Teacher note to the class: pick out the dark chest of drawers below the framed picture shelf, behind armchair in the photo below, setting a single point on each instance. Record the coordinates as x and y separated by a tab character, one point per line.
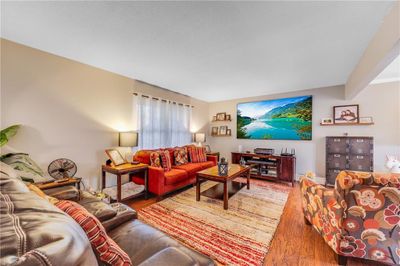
348	153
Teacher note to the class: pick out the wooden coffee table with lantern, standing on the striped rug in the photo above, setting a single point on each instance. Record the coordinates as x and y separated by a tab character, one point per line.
227	187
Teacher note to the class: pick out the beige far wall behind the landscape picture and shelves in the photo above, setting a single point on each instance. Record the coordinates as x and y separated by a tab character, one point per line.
380	101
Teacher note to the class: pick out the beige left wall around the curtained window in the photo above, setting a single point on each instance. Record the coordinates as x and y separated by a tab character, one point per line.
69	109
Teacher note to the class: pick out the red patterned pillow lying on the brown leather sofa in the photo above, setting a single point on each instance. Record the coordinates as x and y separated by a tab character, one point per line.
107	250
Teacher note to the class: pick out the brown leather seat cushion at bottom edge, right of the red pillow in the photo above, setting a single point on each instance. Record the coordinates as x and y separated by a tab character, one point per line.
142	242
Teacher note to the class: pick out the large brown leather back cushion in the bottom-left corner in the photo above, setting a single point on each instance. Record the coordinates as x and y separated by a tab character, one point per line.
35	232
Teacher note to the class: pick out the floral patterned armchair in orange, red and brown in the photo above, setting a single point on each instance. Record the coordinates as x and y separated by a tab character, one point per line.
360	217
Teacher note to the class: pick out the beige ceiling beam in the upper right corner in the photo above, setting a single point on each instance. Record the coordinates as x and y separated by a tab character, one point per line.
382	49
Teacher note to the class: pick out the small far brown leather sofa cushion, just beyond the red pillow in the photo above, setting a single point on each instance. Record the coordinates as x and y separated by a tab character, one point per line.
95	206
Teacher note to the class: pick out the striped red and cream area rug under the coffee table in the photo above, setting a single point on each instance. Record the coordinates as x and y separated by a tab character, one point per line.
240	235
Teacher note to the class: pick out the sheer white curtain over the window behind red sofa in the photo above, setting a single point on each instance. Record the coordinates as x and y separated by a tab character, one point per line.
161	123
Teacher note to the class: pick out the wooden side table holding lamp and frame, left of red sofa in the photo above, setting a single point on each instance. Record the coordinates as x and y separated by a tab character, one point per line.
125	169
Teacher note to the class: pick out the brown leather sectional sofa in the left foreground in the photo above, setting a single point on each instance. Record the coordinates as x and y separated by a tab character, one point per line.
35	232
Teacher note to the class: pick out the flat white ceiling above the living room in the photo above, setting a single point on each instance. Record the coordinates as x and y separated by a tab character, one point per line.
209	50
